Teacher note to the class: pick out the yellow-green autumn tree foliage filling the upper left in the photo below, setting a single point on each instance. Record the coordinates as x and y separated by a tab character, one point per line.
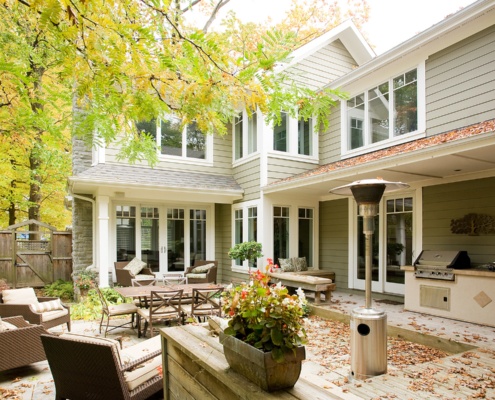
121	61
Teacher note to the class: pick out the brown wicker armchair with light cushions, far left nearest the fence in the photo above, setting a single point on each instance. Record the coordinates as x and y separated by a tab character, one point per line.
46	319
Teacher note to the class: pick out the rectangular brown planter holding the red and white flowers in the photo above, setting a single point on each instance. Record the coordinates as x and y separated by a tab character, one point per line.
259	367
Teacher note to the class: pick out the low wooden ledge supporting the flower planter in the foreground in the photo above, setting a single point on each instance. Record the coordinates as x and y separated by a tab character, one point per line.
194	367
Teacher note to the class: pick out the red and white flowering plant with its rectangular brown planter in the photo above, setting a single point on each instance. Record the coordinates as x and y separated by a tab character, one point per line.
265	334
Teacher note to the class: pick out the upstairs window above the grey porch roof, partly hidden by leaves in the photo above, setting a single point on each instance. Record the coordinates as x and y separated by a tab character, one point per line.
173	140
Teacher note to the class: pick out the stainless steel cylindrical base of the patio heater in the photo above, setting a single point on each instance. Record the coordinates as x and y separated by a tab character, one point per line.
368	343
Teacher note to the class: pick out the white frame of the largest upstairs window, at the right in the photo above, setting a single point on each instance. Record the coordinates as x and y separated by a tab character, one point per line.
392	140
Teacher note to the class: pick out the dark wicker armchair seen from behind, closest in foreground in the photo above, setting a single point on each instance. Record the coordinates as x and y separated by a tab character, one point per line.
85	367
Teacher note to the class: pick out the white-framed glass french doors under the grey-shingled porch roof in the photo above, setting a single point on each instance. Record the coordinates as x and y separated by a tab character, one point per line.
167	238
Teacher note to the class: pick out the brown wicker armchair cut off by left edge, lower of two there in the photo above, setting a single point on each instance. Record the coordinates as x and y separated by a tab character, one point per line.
21	346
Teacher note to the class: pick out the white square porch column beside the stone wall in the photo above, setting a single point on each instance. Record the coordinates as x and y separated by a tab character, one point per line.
102	238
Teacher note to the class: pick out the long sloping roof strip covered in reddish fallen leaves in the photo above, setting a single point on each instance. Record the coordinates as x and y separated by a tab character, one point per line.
409	147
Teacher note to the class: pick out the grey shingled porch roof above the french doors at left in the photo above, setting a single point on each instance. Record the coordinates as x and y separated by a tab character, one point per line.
130	175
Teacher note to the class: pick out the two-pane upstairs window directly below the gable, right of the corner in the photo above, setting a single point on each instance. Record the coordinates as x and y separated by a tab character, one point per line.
294	135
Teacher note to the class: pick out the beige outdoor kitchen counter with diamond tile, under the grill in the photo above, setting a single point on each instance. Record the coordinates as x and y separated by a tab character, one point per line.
469	297
